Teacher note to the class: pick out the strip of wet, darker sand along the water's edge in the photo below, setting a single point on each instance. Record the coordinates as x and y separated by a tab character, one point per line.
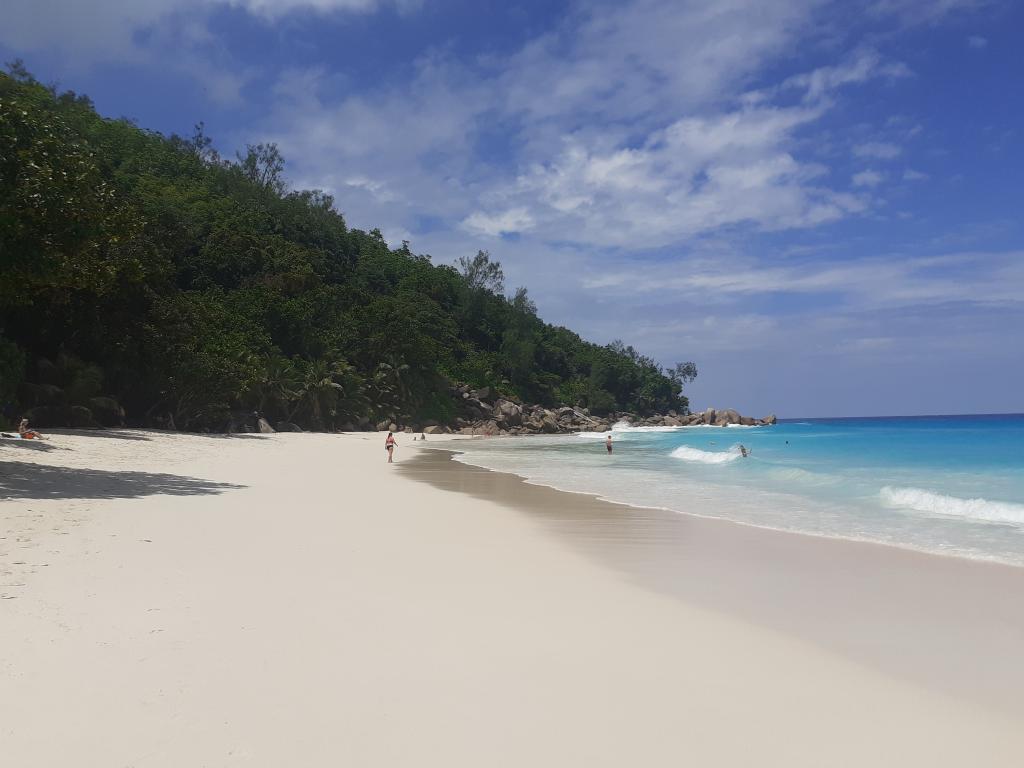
945	605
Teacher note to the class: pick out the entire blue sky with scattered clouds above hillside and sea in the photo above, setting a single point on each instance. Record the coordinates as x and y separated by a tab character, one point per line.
818	202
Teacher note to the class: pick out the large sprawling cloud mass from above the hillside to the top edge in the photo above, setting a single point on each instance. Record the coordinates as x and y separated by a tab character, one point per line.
626	135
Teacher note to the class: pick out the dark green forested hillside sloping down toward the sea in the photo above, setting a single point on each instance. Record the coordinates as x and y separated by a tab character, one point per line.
147	279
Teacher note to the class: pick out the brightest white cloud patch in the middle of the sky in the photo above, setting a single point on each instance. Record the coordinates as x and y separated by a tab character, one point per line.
696	176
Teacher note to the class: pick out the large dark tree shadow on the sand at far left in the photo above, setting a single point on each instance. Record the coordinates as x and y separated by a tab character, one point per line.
21	481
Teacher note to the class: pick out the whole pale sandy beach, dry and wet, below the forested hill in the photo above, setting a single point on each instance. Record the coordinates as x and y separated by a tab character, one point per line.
291	600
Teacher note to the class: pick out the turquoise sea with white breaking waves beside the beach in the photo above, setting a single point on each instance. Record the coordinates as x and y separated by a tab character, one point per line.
945	485
